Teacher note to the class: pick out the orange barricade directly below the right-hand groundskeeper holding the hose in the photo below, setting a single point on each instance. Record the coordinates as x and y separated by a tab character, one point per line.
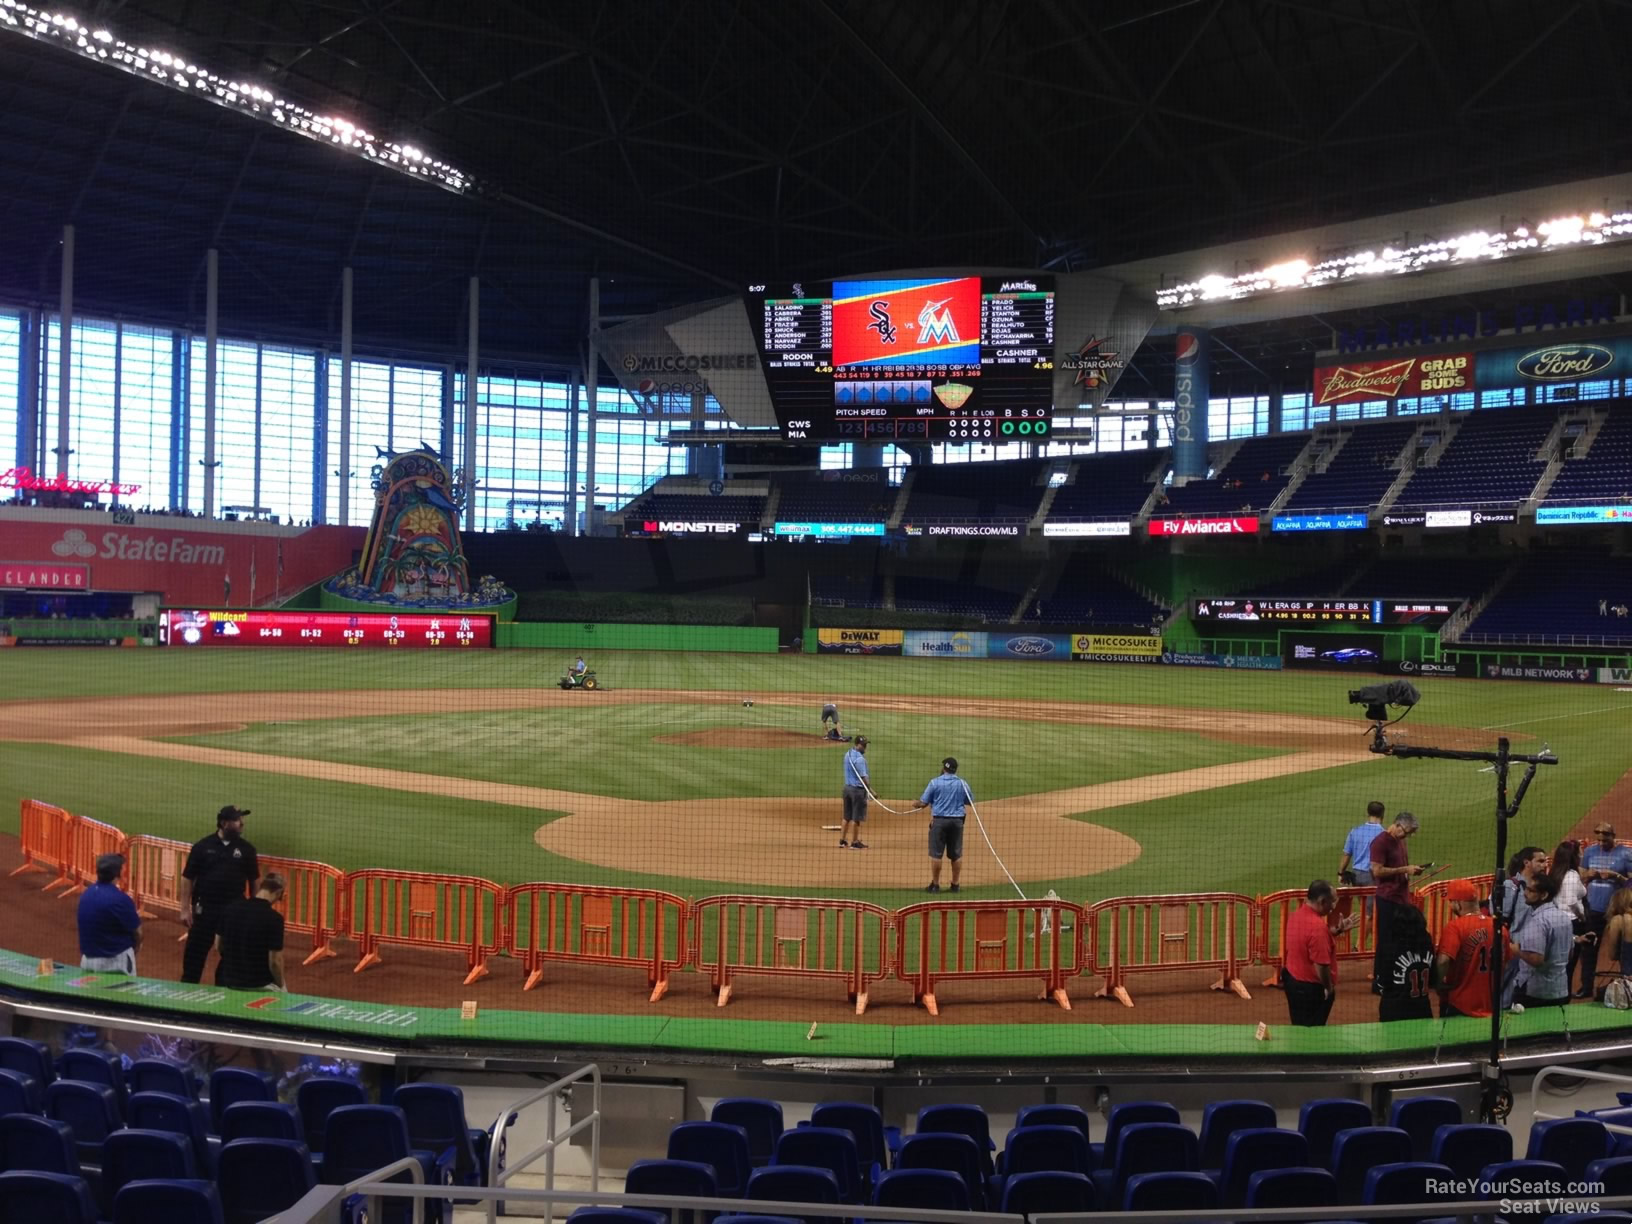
949	941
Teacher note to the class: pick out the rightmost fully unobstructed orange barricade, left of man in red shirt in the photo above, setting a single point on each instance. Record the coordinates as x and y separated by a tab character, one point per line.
1161	934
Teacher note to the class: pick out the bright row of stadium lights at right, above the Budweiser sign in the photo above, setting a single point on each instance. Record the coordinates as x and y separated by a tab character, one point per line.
1594	229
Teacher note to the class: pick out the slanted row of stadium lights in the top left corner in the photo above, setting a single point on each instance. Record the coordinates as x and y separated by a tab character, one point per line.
164	68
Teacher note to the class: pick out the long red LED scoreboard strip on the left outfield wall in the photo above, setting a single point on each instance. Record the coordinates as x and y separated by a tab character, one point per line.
404	631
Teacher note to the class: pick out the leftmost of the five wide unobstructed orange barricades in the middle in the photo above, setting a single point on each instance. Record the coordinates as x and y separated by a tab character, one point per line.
425	911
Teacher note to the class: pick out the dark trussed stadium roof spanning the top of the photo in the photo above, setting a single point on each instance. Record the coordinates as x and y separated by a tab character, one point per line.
680	151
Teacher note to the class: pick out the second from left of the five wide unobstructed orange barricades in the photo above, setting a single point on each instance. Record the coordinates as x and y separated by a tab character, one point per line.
632	928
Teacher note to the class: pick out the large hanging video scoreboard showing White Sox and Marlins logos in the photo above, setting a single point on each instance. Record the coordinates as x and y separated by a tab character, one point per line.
954	360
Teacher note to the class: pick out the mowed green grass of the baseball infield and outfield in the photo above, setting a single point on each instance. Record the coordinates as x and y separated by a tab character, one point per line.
1251	838
